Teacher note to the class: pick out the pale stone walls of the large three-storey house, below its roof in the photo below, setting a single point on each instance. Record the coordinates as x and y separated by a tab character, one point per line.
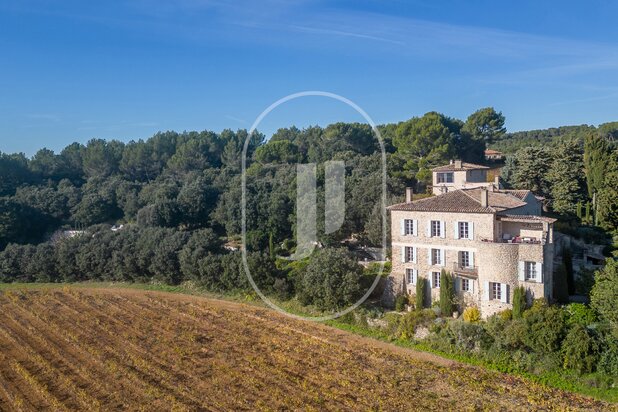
491	260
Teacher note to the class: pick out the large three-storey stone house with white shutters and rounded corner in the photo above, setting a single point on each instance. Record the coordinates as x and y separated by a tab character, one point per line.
491	240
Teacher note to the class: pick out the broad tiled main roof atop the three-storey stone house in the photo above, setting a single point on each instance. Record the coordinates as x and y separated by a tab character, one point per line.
463	201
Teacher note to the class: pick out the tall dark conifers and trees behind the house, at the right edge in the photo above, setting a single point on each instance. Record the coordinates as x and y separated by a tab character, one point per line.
573	175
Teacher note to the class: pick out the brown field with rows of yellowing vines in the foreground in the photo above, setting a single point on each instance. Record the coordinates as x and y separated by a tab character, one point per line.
111	349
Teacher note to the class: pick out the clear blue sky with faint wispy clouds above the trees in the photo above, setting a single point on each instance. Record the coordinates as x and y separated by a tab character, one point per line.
74	70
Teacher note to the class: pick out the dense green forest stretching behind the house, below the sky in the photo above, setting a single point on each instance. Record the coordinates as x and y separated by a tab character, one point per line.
177	197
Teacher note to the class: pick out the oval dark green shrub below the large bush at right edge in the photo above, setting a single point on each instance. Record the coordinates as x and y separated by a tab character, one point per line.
579	350
